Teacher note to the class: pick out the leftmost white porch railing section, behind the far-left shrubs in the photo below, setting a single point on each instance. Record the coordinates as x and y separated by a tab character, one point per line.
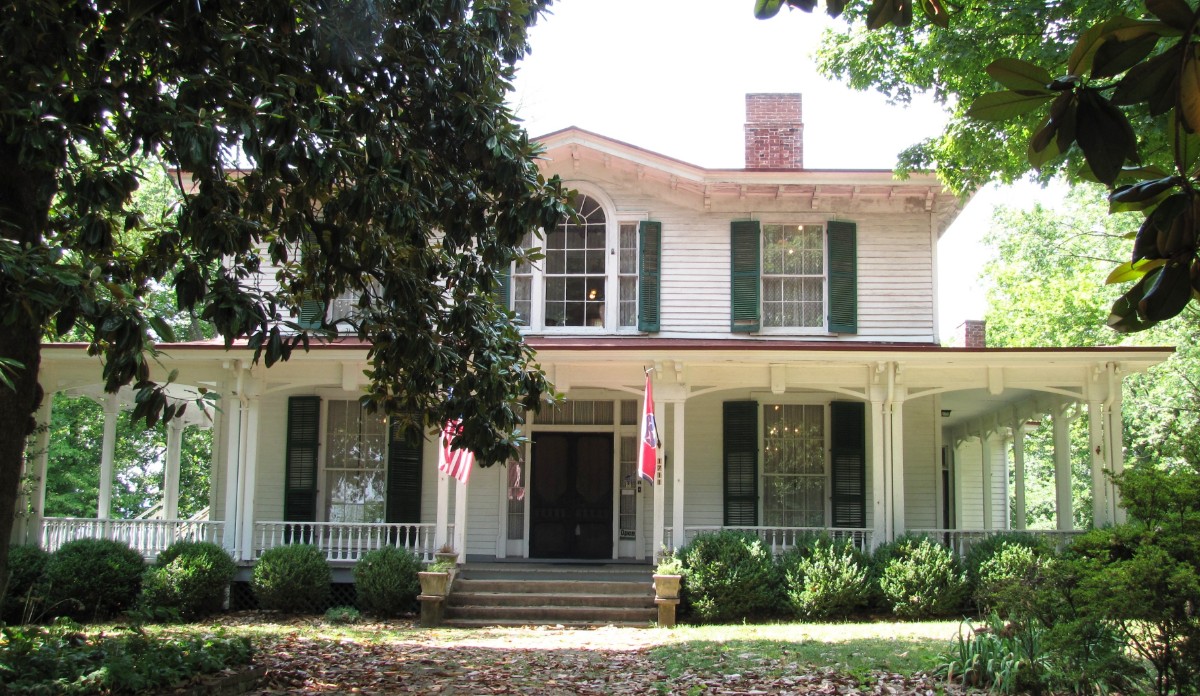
147	537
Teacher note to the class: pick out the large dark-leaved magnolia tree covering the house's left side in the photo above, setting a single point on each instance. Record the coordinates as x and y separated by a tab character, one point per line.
359	147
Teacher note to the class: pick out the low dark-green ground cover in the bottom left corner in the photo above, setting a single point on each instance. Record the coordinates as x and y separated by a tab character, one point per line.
65	659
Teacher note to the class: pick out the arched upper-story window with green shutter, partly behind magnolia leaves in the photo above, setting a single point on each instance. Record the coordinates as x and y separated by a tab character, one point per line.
595	274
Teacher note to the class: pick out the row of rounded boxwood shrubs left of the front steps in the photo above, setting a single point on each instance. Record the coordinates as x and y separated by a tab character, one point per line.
92	580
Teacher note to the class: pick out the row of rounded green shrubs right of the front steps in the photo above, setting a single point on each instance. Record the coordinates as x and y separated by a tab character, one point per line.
734	577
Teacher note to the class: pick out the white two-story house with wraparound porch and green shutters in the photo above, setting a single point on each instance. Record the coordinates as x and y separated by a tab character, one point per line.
789	320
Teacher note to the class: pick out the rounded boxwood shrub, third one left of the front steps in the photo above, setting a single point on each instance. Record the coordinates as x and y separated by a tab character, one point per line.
189	579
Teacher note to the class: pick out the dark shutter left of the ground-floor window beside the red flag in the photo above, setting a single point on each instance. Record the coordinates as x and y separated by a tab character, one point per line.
741	461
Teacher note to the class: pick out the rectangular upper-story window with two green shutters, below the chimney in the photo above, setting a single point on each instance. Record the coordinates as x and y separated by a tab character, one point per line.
794	278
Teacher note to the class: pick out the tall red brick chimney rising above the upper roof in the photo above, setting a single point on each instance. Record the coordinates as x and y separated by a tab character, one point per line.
775	133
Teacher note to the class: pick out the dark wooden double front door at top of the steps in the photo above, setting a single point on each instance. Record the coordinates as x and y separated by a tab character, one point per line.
571	489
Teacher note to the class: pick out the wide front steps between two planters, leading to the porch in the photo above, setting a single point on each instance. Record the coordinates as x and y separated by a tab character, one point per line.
533	595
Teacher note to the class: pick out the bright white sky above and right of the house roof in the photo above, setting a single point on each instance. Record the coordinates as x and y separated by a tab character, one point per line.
673	77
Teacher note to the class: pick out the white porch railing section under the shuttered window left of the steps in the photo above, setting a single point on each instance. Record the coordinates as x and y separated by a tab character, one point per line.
347	542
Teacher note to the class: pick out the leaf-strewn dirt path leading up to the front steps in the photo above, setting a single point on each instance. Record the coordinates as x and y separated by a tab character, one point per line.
532	661
